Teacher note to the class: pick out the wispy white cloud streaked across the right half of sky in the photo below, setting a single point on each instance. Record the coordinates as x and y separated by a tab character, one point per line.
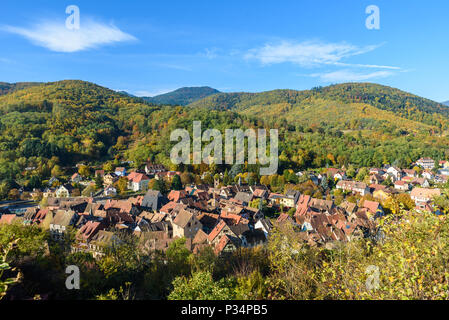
310	53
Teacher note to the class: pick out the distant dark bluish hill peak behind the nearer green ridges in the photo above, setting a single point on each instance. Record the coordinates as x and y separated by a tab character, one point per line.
182	96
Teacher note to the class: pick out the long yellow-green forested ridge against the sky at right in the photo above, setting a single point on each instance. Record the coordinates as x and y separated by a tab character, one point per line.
285	102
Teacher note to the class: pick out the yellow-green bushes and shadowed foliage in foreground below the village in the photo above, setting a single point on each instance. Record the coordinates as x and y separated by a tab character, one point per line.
408	262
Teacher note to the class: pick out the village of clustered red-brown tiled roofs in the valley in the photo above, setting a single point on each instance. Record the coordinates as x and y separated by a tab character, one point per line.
226	217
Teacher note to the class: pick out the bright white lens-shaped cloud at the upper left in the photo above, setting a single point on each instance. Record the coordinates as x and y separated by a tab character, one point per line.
56	37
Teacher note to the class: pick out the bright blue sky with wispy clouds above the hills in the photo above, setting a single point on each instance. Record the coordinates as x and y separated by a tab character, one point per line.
152	47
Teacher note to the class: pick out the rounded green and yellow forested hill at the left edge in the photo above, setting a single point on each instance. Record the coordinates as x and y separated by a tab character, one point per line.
70	120
